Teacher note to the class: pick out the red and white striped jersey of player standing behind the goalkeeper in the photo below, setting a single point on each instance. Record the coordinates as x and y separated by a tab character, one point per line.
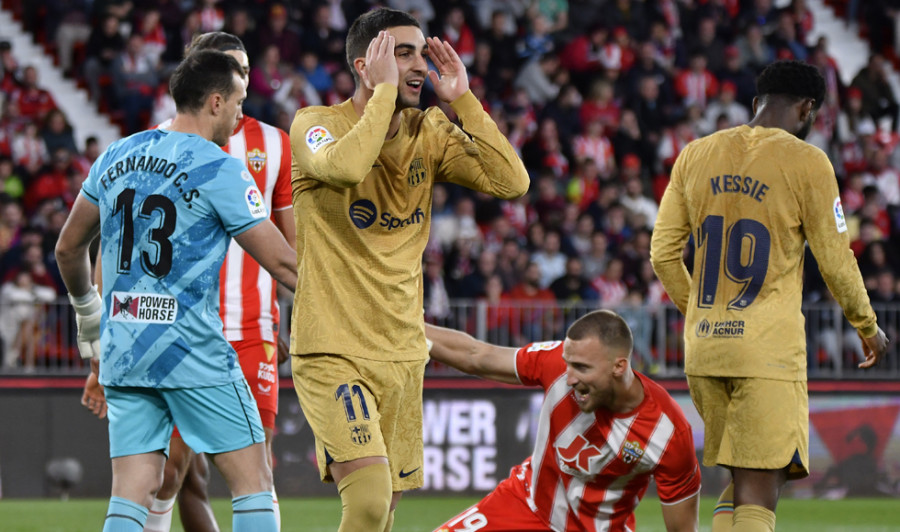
247	303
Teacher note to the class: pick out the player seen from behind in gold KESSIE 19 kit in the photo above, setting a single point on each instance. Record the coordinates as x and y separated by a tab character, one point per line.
752	197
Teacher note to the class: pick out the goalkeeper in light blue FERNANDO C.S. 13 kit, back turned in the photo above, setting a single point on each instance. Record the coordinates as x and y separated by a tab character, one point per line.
165	204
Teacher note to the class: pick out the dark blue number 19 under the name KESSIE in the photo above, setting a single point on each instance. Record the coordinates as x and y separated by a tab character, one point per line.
745	247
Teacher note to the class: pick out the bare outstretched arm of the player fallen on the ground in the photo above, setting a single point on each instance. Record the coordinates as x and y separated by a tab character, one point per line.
463	352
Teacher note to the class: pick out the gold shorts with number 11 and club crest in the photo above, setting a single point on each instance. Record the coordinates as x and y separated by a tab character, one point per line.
358	408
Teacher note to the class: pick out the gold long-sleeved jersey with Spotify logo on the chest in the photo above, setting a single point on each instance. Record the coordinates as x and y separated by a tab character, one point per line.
362	205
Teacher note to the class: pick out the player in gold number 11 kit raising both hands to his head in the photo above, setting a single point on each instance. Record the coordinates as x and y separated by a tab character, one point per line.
362	178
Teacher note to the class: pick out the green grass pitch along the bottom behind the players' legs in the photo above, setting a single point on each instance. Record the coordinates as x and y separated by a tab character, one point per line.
418	514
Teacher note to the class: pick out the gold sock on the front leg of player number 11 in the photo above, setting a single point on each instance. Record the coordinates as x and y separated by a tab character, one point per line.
366	499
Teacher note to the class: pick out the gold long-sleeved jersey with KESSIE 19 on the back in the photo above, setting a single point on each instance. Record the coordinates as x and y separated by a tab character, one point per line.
752	198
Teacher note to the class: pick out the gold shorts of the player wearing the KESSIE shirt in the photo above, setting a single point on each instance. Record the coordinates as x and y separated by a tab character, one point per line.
753	423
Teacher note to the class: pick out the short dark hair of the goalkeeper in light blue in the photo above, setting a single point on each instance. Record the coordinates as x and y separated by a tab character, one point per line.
201	74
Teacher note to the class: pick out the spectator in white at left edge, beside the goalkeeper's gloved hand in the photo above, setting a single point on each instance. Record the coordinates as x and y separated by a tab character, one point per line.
21	313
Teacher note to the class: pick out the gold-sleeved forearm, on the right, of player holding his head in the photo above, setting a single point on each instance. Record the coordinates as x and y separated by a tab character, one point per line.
493	165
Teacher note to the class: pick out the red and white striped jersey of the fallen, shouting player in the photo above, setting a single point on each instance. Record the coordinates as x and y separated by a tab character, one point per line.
588	471
